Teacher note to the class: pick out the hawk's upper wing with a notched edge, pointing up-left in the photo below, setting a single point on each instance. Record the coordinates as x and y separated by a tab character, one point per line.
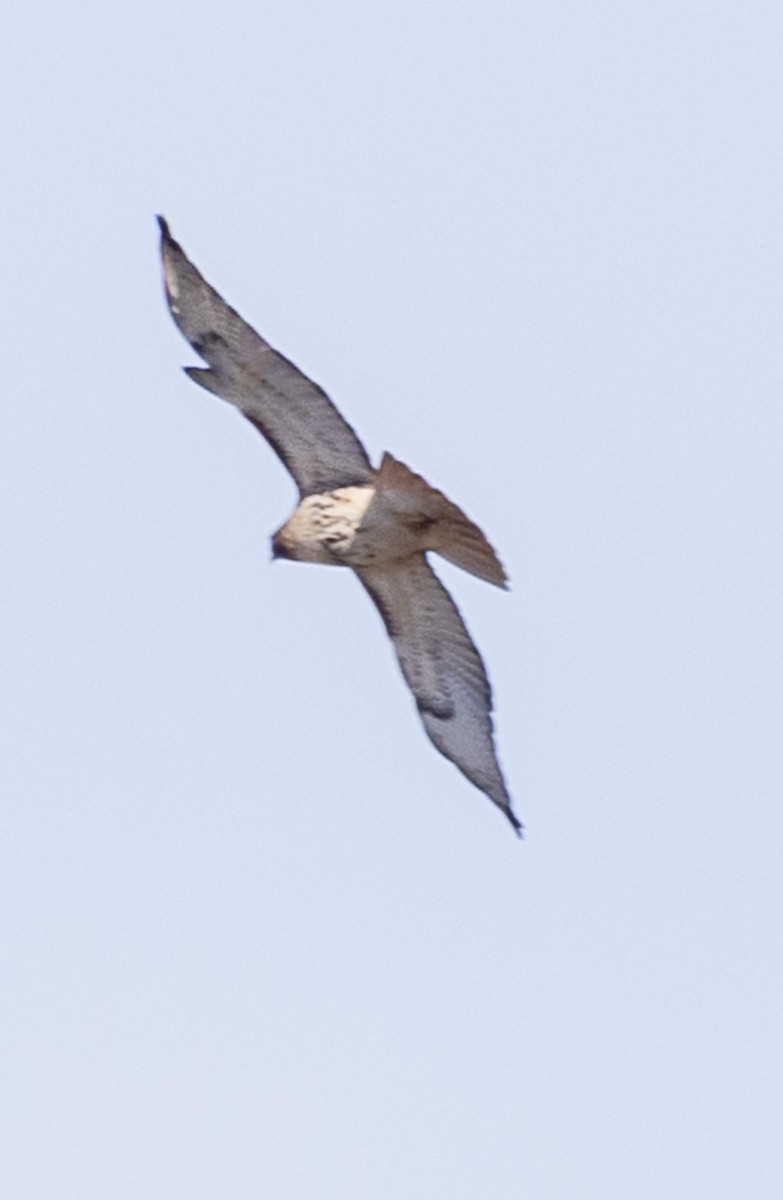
294	413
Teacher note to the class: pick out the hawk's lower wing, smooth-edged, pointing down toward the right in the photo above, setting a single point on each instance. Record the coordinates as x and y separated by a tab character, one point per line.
443	669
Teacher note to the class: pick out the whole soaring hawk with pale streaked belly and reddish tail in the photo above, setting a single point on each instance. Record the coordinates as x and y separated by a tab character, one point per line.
380	523
